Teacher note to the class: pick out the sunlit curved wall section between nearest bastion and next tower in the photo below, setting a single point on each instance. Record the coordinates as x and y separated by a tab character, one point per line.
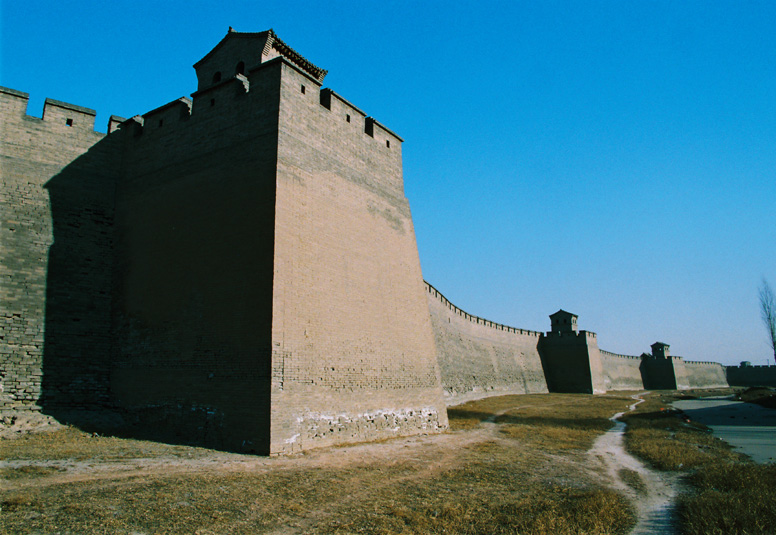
479	358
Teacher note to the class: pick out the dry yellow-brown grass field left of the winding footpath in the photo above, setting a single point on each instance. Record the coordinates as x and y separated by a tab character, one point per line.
513	464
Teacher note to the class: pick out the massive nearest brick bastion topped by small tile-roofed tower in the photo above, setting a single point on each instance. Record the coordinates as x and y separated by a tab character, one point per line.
269	290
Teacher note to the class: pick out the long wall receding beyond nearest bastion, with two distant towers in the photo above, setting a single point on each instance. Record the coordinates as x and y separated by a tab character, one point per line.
480	358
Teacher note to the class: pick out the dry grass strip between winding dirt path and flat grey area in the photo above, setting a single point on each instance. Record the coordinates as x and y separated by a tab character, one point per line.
727	493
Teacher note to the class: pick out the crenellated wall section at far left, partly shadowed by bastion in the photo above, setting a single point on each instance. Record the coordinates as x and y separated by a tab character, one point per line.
56	243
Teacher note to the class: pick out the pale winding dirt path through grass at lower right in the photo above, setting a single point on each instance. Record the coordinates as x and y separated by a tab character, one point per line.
654	500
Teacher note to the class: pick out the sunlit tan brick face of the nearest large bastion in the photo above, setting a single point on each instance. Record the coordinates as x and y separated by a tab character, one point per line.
353	350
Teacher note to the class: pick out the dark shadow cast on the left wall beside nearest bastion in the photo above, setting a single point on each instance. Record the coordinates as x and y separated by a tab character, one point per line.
77	341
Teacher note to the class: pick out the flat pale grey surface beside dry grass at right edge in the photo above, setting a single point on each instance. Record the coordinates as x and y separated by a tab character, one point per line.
748	427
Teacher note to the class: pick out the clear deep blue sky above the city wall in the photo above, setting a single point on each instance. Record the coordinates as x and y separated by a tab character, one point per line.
616	159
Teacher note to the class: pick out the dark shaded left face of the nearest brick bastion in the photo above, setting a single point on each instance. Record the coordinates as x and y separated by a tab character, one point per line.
195	244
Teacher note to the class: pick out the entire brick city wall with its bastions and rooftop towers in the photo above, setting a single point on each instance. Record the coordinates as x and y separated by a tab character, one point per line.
239	270
